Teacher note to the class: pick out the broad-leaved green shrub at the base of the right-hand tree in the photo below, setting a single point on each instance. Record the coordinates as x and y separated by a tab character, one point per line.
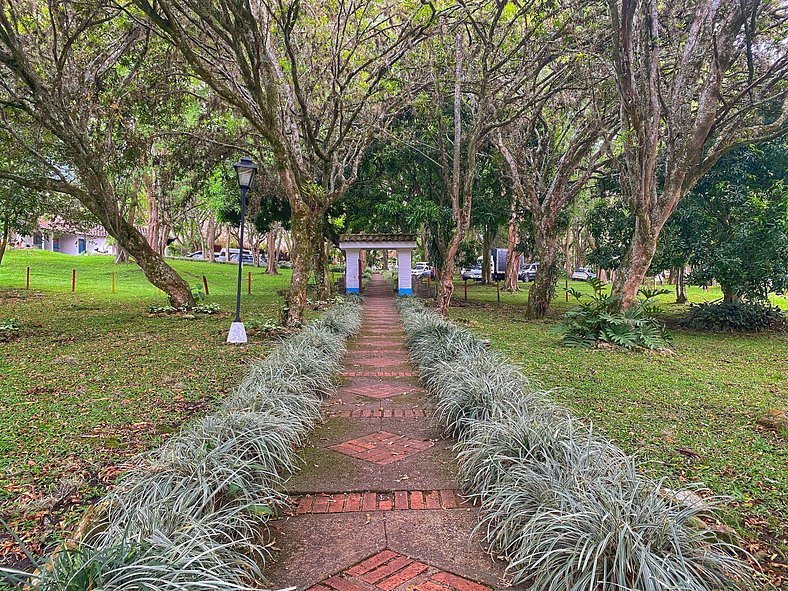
595	321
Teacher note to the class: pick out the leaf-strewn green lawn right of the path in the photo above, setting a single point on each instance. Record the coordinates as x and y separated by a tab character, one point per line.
688	416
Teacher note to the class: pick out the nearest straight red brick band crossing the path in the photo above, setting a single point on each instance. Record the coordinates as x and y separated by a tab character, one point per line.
398	500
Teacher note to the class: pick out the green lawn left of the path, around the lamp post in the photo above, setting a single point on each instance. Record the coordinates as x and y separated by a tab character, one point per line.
93	379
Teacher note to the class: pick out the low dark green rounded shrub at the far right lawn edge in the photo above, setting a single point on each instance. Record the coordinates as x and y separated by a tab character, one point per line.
734	316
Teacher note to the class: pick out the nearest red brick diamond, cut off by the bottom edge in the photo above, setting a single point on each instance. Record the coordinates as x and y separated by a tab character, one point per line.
390	571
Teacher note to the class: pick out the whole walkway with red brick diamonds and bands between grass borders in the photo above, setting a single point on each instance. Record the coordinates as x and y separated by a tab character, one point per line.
376	506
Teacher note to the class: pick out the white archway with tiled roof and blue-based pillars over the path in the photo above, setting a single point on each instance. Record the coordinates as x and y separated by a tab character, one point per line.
353	244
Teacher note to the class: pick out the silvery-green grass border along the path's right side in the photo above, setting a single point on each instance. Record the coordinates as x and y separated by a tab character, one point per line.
564	506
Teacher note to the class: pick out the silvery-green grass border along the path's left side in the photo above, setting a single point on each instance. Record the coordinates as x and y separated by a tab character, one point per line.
193	514
